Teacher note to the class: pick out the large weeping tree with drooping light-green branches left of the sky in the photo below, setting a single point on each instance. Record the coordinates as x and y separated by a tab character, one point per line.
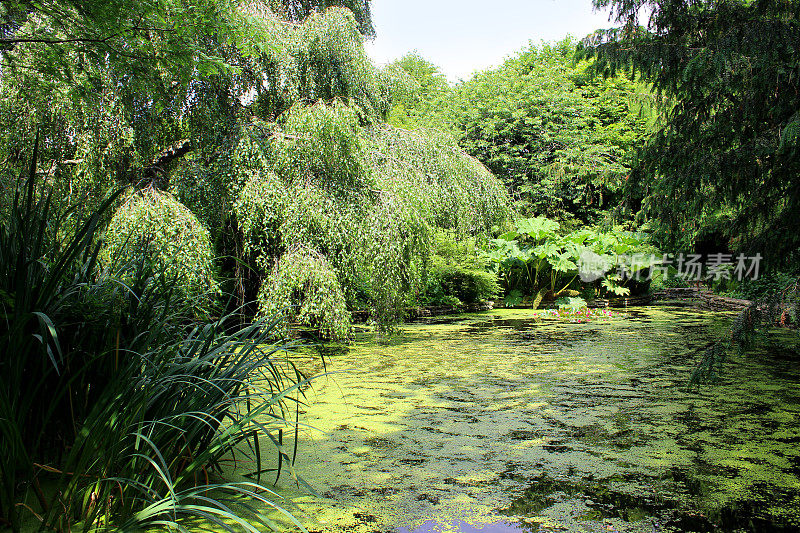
262	124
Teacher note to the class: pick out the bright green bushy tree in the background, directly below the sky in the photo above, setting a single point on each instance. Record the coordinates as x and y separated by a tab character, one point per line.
561	140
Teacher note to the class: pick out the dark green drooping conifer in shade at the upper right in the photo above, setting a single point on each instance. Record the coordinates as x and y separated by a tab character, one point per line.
722	172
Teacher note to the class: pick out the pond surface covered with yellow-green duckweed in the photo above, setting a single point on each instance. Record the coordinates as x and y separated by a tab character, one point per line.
505	421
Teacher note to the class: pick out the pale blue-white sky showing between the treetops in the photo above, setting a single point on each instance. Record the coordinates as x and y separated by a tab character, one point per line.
462	36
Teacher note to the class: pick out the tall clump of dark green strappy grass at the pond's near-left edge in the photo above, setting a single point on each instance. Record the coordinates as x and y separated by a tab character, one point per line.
118	410
